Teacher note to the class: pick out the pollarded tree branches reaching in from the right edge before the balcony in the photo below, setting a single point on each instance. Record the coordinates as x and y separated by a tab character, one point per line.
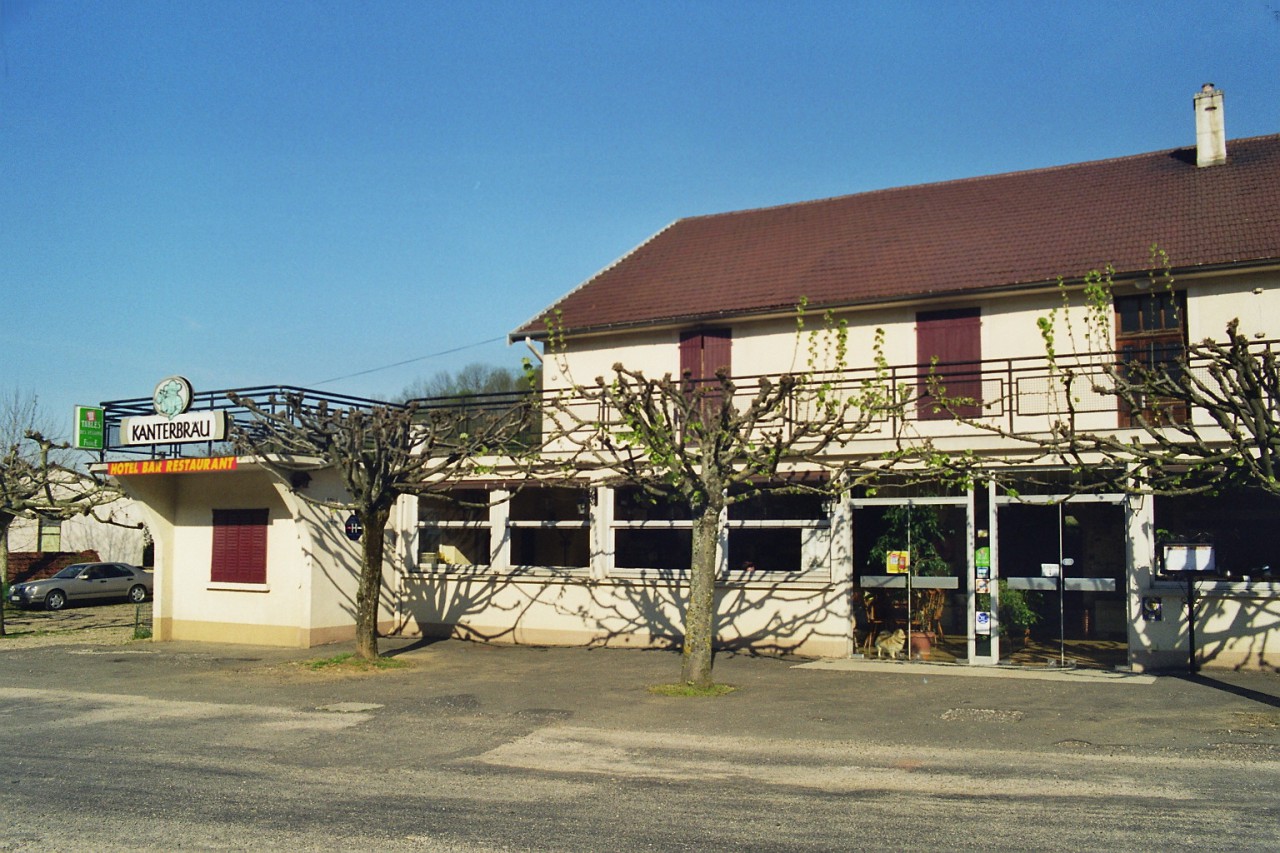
1192	417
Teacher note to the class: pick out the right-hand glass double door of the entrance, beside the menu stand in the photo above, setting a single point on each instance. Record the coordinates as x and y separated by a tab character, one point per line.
1062	582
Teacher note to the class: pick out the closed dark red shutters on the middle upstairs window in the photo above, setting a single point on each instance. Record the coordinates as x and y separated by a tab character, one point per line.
950	341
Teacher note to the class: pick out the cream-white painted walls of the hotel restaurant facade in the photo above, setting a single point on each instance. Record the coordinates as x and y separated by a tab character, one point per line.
308	599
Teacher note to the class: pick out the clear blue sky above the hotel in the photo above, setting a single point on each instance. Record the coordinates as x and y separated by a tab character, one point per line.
296	193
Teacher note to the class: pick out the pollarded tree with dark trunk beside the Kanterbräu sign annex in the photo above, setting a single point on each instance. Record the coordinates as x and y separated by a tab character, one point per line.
381	453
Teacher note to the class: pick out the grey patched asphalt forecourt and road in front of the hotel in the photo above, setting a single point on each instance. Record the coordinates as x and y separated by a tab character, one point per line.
484	747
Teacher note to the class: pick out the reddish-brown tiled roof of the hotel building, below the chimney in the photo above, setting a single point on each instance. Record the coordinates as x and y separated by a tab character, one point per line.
935	240
